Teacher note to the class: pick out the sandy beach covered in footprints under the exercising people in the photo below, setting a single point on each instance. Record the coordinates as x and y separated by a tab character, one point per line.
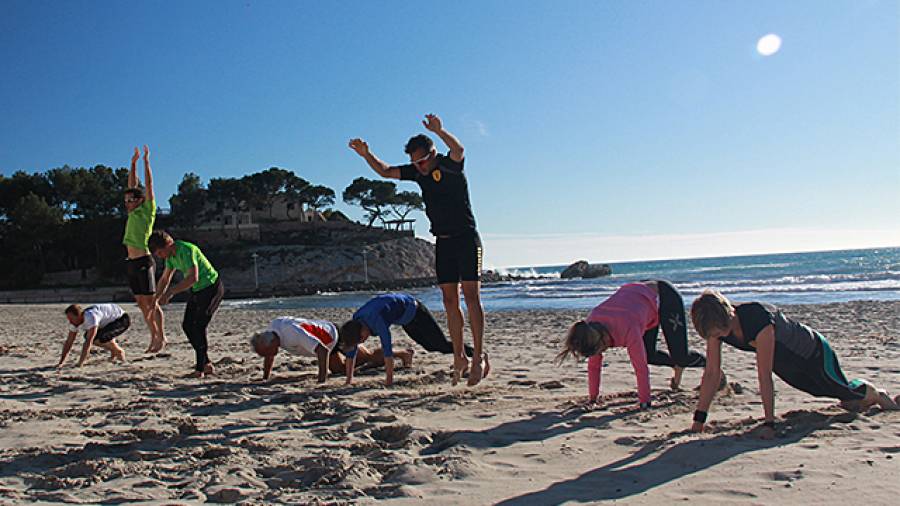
140	431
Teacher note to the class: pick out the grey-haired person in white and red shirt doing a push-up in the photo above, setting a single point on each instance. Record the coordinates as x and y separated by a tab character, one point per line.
312	338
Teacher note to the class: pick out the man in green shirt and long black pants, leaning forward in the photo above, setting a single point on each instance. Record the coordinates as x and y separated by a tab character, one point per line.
204	284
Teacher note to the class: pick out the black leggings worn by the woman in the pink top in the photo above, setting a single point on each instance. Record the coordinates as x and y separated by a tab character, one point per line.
674	325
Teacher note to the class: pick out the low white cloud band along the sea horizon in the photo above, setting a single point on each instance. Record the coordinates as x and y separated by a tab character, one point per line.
552	249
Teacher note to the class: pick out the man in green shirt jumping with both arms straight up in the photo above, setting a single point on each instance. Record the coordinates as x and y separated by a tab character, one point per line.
141	269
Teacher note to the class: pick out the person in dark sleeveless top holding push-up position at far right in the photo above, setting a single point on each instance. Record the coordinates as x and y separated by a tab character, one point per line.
796	353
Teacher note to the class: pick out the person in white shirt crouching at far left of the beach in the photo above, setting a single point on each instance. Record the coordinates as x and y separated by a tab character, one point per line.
101	324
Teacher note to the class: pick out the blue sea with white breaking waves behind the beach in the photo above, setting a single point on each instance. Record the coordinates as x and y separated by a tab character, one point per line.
792	278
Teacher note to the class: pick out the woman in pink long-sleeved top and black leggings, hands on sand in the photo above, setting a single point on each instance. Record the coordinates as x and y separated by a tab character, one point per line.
631	318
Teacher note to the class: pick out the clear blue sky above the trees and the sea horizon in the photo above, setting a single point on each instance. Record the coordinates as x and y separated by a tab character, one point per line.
599	130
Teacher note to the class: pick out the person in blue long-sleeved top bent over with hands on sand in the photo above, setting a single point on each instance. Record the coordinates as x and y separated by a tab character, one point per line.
375	318
